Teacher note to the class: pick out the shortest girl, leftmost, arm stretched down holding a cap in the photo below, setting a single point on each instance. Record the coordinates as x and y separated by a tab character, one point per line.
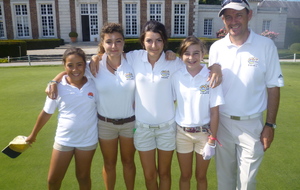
76	133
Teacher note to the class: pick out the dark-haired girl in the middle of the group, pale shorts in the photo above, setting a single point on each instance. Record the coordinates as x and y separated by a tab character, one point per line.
154	105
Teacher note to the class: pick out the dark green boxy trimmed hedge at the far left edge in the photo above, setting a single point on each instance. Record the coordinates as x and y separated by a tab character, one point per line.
13	48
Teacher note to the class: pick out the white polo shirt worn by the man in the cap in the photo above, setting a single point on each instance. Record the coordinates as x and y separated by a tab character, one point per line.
248	71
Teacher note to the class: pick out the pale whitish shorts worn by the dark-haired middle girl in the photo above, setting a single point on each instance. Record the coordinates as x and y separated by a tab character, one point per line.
164	138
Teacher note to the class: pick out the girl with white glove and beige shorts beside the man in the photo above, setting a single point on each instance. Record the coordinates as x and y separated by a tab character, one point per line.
197	113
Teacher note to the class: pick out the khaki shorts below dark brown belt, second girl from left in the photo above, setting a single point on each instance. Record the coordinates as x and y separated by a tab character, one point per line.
107	130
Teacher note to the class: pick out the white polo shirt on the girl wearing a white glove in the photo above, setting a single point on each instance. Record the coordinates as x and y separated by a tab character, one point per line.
194	97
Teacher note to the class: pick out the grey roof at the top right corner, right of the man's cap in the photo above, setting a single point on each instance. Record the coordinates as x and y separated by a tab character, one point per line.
293	7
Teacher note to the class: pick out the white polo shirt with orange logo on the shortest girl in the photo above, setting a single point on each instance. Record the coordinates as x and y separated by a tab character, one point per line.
77	117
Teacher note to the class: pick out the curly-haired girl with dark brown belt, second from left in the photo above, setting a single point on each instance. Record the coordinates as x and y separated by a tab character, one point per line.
116	88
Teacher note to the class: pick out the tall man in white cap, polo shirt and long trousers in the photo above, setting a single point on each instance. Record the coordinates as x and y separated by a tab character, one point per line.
251	81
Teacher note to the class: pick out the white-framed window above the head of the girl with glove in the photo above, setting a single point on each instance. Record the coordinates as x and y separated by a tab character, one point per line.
180	14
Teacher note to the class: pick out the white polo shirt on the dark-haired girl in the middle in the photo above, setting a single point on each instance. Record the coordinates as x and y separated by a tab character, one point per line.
154	103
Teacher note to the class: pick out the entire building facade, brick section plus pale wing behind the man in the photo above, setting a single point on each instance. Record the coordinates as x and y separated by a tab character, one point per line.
44	19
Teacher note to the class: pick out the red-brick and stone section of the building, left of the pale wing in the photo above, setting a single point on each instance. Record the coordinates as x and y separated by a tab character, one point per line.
42	19
